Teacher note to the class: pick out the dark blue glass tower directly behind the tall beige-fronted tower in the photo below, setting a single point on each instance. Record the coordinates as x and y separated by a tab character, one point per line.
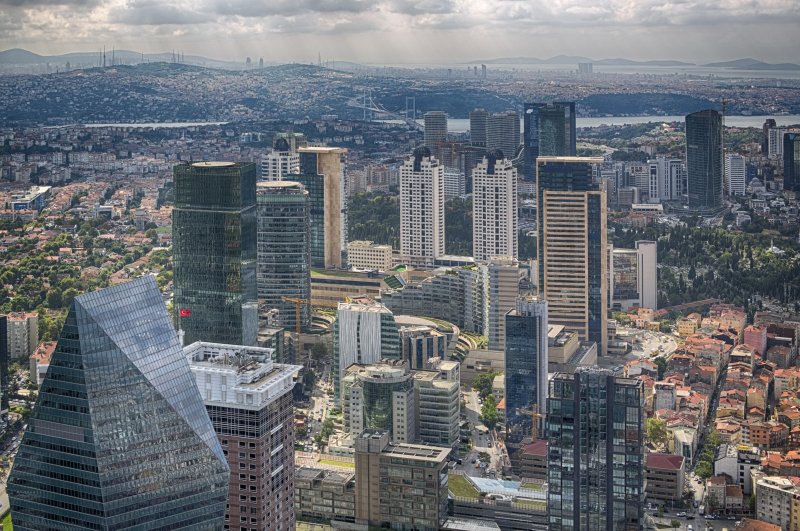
549	131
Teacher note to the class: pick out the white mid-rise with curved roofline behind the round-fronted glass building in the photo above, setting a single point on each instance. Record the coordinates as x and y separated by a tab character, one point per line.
364	332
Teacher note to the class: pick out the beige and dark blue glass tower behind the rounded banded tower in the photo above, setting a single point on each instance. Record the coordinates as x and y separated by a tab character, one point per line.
322	173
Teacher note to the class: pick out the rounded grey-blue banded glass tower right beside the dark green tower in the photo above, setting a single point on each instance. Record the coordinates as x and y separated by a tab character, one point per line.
283	251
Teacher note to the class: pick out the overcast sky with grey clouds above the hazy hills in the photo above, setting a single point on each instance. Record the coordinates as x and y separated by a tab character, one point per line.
410	31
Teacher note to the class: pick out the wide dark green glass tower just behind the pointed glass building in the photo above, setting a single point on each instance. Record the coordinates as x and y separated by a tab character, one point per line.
214	252
